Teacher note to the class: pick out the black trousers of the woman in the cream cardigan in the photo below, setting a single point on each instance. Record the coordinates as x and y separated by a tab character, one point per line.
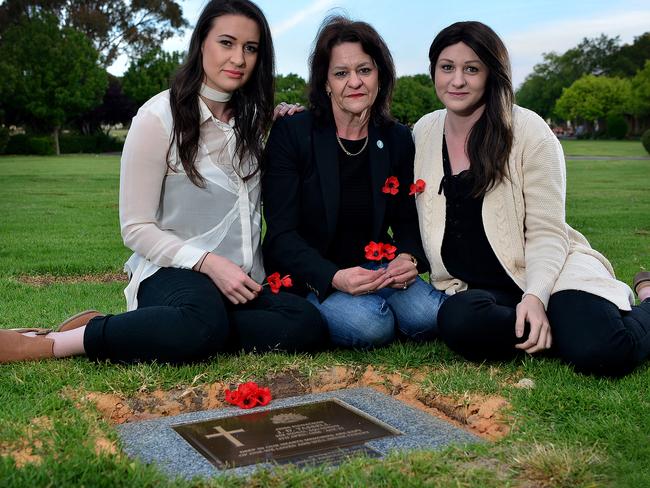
588	331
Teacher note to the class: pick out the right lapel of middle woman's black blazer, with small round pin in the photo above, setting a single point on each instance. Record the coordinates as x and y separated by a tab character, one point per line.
379	171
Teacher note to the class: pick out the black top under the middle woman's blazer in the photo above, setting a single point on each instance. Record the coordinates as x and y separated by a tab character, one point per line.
354	226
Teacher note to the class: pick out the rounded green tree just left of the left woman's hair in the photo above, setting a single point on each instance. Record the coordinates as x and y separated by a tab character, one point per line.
150	74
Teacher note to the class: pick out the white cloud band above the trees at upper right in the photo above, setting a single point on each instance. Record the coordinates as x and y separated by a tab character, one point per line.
526	47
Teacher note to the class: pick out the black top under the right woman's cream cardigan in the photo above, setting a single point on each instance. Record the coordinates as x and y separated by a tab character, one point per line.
466	251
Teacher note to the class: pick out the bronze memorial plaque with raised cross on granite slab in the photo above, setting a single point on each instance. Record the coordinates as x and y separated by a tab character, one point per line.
312	433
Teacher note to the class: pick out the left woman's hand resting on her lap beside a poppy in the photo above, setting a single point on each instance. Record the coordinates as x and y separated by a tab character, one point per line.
236	285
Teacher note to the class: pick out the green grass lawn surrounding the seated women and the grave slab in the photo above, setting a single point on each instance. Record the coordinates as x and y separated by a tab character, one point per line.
60	227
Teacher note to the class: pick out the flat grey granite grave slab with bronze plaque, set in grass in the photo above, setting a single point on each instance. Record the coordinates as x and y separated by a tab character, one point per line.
310	429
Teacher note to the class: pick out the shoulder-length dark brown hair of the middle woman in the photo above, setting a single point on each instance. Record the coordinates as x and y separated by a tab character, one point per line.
336	30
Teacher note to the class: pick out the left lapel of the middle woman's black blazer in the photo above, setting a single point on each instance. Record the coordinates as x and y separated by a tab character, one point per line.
326	158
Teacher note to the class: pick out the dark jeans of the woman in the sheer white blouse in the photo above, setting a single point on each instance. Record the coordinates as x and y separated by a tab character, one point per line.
182	316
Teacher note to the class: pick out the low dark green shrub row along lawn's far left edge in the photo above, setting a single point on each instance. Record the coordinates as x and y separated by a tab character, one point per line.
68	143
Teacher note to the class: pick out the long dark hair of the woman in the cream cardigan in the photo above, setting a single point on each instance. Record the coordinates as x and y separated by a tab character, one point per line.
490	140
